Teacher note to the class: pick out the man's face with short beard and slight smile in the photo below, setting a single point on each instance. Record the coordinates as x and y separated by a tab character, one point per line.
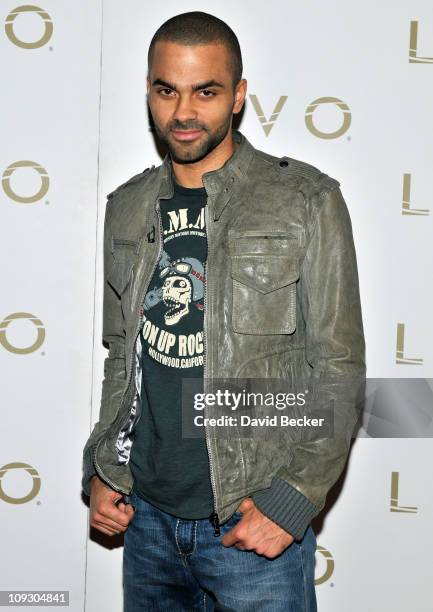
191	97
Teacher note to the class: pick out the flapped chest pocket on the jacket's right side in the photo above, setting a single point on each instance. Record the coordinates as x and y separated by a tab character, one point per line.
264	288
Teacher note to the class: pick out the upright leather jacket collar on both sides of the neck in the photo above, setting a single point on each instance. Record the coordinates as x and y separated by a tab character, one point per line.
220	184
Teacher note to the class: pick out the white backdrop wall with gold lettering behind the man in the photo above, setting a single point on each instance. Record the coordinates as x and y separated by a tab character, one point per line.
74	106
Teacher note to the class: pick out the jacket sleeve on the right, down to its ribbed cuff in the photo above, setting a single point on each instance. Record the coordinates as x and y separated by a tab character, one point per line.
335	351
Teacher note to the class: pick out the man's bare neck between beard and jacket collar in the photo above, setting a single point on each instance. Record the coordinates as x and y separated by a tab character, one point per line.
190	175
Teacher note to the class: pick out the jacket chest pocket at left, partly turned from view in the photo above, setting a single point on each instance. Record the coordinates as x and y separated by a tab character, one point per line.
120	272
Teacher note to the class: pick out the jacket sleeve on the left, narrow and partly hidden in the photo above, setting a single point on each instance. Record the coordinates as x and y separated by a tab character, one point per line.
113	335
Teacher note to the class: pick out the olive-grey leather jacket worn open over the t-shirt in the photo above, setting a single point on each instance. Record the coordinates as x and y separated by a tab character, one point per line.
281	301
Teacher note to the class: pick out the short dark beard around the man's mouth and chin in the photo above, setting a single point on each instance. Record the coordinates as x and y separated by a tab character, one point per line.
190	152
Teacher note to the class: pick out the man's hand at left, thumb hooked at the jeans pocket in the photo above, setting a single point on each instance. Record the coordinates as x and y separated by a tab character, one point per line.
104	514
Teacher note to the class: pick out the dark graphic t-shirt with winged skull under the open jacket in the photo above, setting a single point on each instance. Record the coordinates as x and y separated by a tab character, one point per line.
169	471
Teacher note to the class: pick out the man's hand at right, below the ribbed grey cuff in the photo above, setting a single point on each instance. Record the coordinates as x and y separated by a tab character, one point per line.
257	532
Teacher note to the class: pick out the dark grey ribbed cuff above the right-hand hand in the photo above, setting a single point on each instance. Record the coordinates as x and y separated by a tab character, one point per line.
286	506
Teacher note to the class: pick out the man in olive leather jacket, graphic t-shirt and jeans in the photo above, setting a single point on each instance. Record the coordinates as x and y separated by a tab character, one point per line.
224	261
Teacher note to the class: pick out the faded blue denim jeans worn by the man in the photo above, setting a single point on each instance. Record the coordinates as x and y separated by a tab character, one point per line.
176	565
